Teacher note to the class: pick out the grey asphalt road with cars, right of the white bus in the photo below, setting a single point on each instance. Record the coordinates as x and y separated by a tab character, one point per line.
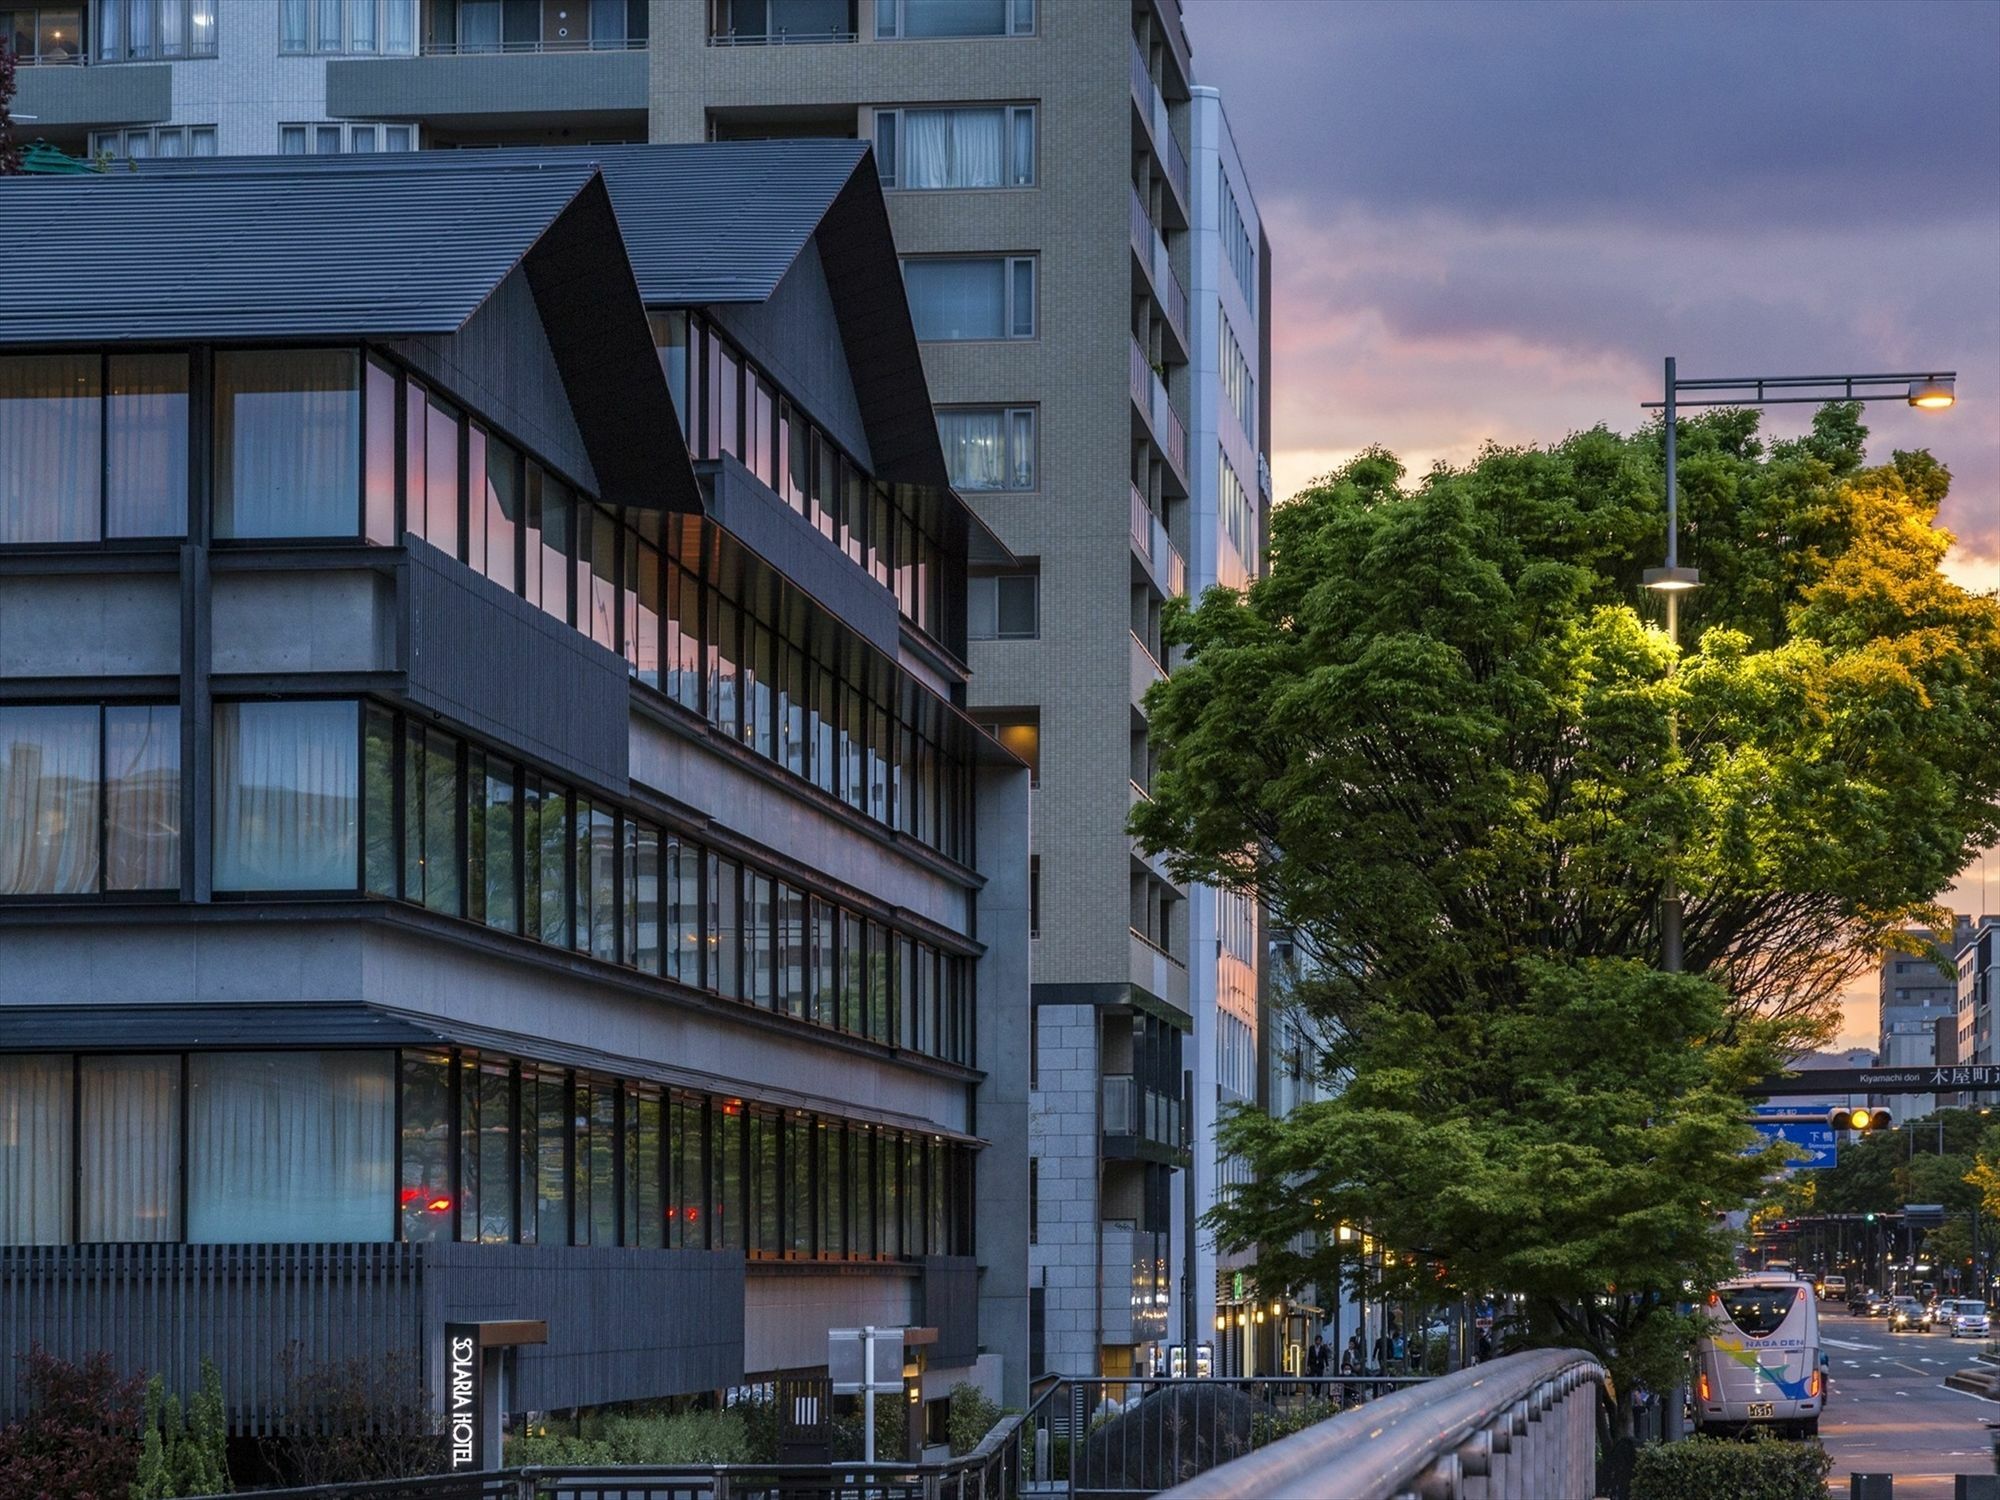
1891	1413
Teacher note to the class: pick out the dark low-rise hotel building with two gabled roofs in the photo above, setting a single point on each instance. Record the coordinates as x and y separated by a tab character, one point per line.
489	823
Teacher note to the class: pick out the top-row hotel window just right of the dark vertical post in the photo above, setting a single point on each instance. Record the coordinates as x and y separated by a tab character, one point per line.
289	439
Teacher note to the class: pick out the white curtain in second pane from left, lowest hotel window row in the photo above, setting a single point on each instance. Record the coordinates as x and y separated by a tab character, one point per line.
129	1149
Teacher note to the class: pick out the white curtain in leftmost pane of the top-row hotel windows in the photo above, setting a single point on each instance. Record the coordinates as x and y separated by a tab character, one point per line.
49	449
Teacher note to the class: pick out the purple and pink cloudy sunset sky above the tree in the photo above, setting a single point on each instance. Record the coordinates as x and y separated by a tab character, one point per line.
1493	221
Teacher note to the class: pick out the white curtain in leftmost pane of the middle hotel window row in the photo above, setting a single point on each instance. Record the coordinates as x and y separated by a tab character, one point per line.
49	801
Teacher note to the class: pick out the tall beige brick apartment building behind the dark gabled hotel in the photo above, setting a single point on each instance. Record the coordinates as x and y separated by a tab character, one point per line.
1039	187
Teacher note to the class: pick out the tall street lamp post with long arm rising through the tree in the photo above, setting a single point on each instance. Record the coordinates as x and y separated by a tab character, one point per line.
1927	391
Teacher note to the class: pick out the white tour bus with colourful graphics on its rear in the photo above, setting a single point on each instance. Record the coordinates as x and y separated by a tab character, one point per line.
1759	1363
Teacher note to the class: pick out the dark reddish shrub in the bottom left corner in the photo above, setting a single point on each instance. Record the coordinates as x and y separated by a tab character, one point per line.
81	1435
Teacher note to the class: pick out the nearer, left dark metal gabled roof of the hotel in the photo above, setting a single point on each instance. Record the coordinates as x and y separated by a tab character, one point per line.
343	247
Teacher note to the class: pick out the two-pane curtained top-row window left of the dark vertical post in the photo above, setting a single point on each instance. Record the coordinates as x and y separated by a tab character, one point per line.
93	447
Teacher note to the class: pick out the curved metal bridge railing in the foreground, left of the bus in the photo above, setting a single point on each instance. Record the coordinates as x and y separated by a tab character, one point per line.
1515	1427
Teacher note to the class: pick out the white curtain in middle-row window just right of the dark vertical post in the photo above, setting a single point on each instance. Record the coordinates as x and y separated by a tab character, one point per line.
287	797
